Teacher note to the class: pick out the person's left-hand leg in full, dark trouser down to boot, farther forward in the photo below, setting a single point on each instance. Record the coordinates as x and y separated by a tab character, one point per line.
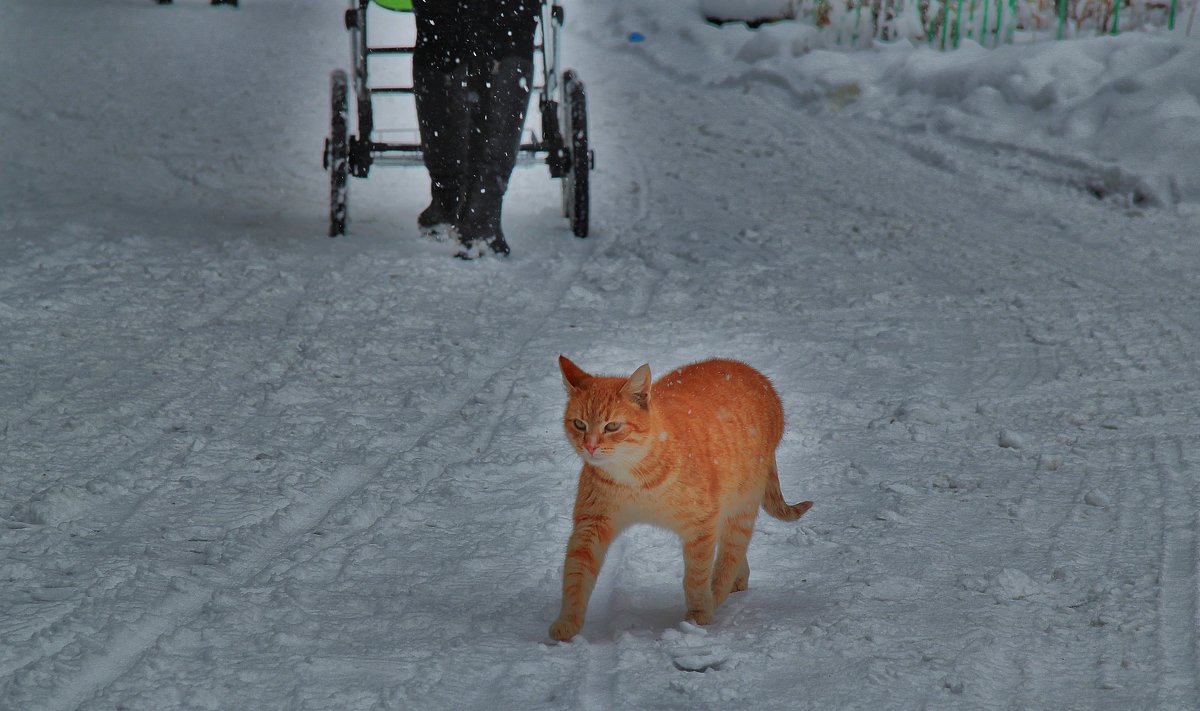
440	87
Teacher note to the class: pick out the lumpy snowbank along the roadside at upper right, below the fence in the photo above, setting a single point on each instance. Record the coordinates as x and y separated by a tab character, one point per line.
1121	112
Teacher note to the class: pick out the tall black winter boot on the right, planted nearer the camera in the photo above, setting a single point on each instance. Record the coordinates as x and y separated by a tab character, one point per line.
496	122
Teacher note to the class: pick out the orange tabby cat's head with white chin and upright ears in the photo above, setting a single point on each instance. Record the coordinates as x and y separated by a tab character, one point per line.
608	420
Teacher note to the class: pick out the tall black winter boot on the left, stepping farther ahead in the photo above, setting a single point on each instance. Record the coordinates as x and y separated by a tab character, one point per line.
442	117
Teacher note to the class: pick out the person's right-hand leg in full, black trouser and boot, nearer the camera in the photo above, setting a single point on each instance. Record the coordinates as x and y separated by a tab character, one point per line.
501	80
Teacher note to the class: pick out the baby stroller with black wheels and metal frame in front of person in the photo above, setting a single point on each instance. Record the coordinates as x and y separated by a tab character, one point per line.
562	103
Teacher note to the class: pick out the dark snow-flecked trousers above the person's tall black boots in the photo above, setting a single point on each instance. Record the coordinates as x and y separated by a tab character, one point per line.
454	33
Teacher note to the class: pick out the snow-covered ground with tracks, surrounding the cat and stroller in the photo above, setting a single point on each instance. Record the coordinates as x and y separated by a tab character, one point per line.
245	467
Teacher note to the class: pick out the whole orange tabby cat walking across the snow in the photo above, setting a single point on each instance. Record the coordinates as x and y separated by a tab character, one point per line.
694	453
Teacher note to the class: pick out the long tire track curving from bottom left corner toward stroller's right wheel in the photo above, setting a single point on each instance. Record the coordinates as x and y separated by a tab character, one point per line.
285	531
